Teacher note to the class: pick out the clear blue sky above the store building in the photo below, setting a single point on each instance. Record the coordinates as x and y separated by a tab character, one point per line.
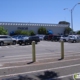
40	11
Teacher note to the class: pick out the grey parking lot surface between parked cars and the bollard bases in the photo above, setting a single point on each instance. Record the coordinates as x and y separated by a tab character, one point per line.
44	50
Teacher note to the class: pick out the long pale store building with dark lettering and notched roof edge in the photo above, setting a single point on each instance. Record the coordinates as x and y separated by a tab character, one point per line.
13	26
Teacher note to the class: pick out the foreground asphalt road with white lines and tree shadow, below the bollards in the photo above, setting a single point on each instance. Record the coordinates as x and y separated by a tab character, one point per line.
61	70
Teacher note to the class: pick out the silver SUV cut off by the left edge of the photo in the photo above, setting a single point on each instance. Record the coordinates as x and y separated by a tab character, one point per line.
6	39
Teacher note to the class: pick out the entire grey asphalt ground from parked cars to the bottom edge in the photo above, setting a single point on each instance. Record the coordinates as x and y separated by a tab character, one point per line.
48	70
